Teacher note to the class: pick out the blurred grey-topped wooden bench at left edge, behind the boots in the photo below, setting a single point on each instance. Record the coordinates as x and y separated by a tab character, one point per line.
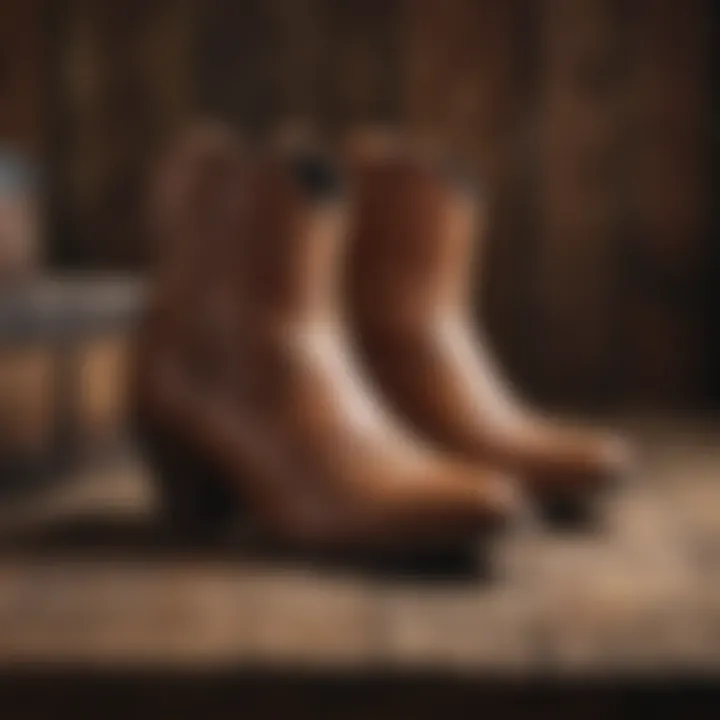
63	356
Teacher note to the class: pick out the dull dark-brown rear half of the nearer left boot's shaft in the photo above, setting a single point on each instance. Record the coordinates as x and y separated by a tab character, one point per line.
195	213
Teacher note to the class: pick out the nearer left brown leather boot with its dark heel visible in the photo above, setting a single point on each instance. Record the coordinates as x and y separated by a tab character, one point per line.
263	386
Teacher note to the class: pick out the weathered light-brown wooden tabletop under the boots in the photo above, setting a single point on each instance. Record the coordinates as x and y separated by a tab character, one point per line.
88	576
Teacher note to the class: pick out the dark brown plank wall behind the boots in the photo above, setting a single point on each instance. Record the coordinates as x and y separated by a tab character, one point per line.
589	119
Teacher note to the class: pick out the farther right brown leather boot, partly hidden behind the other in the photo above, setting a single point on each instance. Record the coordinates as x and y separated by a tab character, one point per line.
409	273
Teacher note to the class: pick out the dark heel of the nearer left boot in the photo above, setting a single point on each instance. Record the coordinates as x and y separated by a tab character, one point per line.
195	499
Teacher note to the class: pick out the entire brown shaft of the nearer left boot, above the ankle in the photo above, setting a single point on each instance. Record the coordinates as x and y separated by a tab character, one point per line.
249	246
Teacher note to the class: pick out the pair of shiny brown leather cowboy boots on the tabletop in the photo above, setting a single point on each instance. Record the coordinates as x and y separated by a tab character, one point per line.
308	354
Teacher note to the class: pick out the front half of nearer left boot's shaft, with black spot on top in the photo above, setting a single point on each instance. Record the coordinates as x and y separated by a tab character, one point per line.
290	253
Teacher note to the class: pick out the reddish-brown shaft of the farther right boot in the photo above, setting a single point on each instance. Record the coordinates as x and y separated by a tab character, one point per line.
412	246
